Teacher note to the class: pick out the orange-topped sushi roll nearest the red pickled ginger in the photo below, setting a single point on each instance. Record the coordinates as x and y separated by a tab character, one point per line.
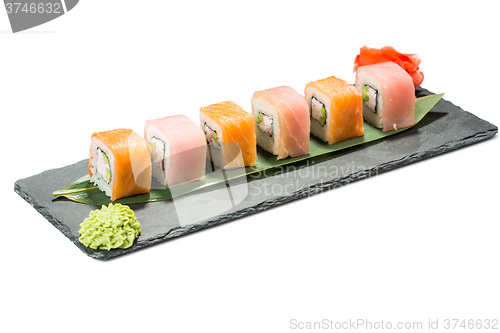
336	110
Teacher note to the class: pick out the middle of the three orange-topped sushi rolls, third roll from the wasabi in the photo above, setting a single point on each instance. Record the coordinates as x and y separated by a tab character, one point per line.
230	135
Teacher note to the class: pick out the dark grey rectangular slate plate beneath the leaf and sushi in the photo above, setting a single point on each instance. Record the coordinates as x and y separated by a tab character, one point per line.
446	127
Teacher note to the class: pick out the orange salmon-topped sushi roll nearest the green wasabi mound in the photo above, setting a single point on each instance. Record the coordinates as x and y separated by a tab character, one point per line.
119	163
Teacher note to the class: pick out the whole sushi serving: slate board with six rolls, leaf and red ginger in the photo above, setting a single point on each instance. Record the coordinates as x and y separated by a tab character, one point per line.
226	165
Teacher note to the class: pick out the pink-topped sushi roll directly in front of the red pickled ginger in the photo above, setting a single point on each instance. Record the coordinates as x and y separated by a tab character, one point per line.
388	96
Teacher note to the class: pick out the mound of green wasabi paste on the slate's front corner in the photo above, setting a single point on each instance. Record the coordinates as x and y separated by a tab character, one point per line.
113	226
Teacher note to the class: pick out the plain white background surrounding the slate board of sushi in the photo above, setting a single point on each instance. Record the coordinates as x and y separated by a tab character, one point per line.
417	243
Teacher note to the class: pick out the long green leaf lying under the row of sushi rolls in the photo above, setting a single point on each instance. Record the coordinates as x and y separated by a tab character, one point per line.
84	191
